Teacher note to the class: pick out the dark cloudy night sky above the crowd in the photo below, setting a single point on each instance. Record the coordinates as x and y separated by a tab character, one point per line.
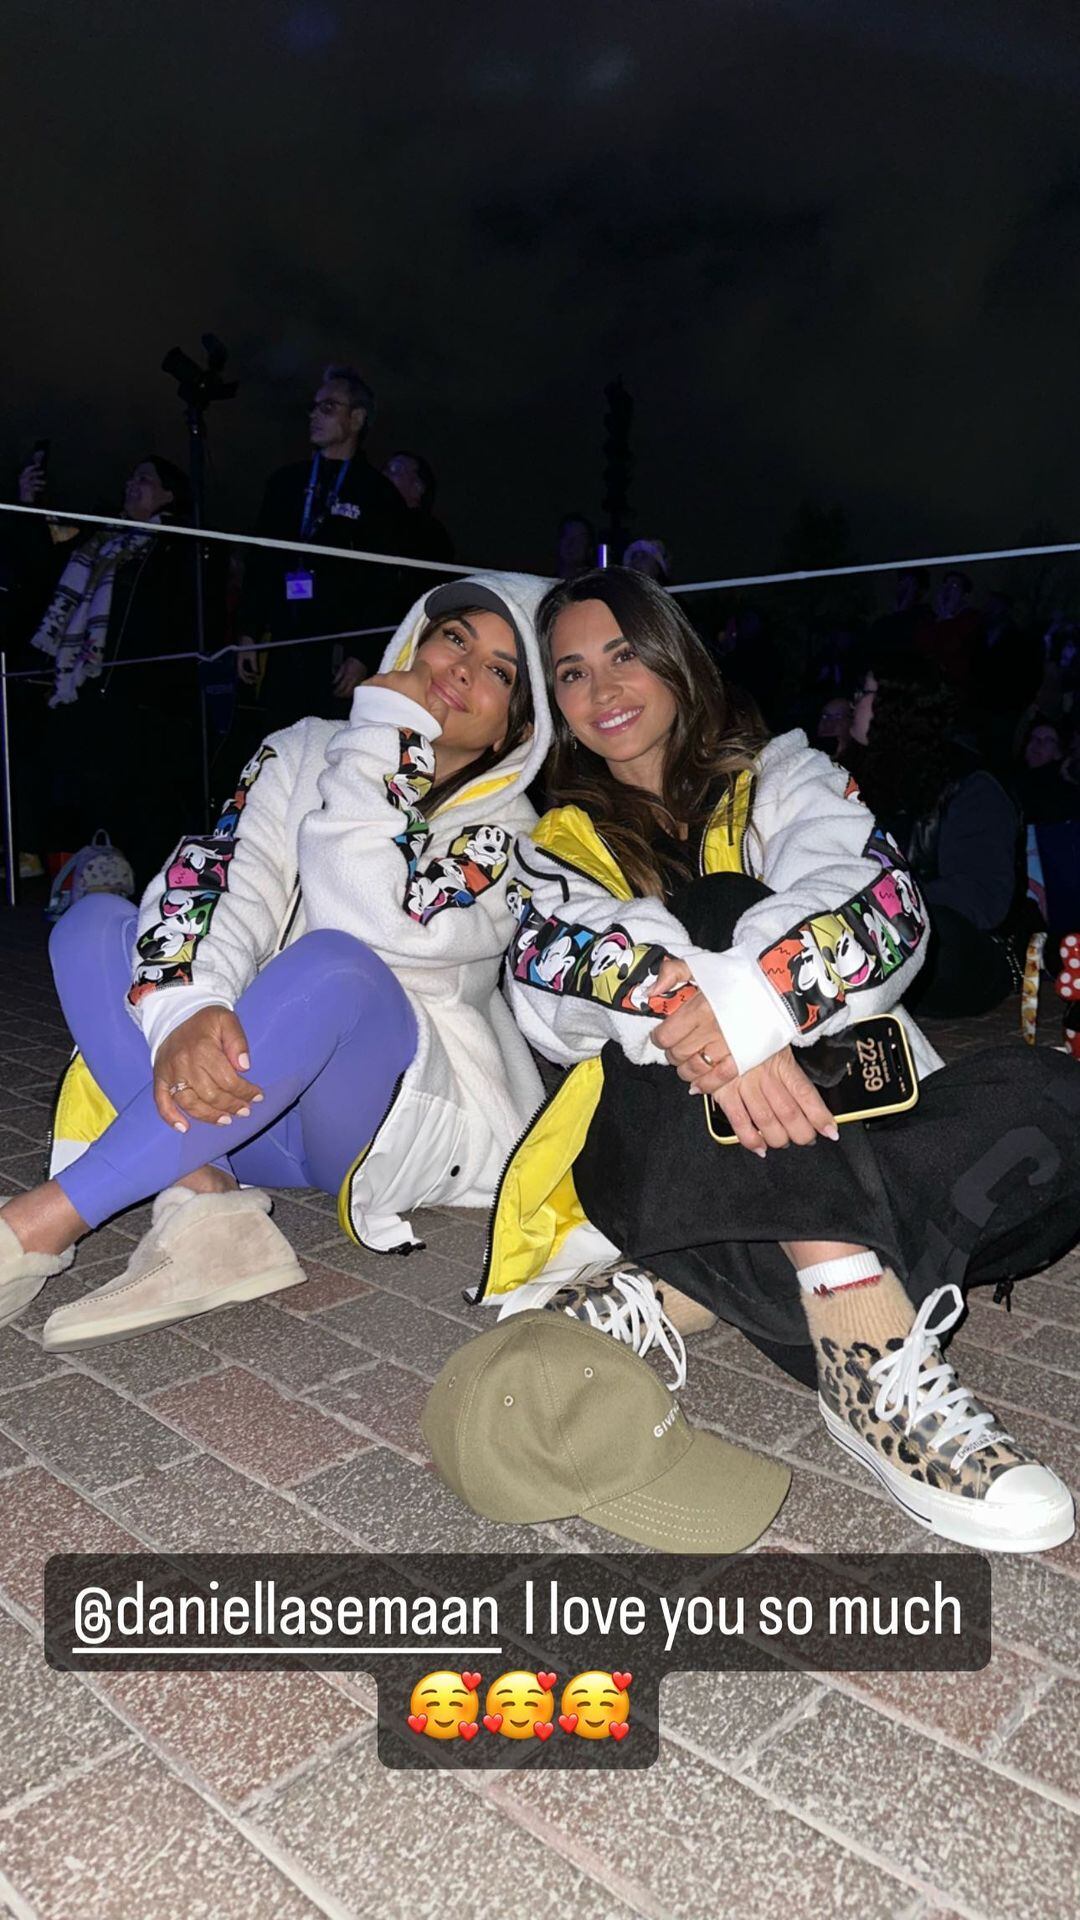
833	249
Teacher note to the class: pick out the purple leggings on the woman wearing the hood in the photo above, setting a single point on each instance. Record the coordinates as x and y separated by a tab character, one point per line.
330	1030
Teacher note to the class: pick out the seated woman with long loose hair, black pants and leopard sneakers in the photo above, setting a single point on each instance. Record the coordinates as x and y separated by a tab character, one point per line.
706	911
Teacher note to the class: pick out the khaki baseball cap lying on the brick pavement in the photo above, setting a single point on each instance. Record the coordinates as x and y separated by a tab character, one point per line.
545	1418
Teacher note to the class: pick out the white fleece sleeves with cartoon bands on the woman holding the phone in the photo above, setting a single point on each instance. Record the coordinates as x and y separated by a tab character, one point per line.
841	938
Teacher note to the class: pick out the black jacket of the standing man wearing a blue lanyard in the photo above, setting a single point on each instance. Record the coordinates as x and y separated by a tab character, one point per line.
368	516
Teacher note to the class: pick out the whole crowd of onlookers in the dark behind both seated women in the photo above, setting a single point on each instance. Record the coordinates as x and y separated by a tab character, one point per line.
956	713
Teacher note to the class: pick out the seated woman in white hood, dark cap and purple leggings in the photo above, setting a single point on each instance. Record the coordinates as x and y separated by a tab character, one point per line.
318	976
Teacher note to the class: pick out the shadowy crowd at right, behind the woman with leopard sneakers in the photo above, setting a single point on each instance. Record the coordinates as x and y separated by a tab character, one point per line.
962	727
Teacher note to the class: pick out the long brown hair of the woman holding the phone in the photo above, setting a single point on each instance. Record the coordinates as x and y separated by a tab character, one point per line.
714	736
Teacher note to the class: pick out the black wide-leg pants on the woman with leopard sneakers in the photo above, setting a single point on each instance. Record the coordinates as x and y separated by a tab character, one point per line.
977	1184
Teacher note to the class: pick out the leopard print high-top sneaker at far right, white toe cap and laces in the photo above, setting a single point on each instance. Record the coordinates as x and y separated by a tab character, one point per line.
935	1447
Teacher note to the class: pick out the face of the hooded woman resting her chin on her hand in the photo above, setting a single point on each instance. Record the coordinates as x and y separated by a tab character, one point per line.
474	667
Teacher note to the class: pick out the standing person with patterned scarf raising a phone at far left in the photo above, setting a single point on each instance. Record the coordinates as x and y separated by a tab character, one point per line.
120	746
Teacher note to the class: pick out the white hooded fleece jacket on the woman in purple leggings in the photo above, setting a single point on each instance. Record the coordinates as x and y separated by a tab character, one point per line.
324	832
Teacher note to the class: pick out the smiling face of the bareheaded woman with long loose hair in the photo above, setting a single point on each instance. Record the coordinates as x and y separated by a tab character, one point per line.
610	700
